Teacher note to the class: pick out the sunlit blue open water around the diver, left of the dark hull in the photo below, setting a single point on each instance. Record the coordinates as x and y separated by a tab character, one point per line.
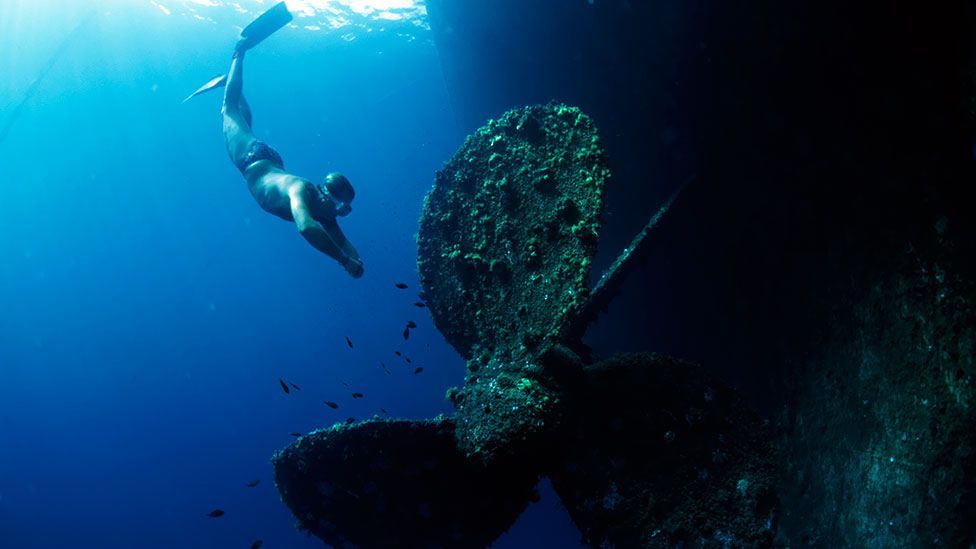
148	306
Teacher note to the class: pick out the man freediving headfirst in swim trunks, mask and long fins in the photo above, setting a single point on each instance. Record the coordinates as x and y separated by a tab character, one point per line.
312	207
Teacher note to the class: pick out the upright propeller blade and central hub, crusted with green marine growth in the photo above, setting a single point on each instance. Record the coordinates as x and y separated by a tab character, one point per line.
505	245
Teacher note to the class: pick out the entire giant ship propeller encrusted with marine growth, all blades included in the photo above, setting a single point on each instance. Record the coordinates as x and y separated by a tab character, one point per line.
642	450
